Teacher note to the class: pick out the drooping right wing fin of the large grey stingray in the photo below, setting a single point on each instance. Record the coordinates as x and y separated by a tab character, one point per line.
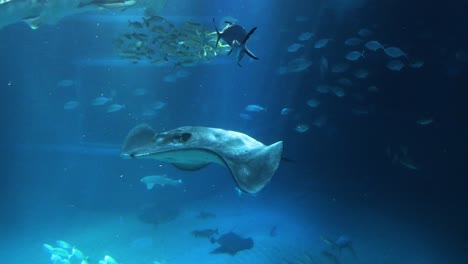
253	170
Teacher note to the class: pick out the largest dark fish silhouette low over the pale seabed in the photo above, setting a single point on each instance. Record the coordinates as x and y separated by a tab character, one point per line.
231	243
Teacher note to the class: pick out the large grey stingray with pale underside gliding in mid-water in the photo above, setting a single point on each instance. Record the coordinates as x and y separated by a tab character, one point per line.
251	163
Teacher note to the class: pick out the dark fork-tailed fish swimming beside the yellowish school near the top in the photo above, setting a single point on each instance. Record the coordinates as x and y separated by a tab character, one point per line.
236	37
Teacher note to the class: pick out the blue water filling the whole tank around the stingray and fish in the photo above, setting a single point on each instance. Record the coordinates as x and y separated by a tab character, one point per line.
366	168
